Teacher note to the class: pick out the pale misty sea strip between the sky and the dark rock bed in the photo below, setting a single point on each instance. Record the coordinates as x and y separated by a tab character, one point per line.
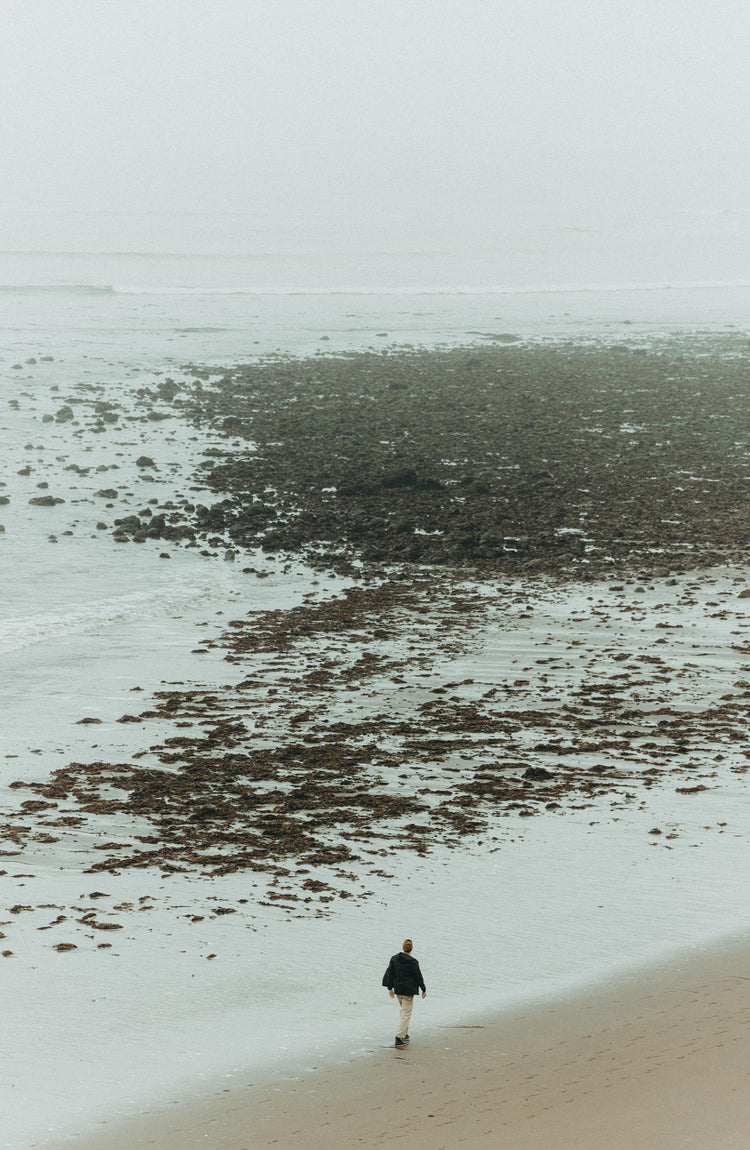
152	289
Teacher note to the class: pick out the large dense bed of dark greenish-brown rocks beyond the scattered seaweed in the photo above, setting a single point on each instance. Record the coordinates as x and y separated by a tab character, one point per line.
561	459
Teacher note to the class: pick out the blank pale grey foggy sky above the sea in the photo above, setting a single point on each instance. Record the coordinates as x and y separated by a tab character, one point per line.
568	110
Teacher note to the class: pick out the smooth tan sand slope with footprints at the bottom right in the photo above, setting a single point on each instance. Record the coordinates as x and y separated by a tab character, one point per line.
660	1059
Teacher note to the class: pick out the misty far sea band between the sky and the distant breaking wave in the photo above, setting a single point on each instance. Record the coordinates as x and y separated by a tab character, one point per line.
297	252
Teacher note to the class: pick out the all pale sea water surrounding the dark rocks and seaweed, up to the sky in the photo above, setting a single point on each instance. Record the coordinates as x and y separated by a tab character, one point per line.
97	306
